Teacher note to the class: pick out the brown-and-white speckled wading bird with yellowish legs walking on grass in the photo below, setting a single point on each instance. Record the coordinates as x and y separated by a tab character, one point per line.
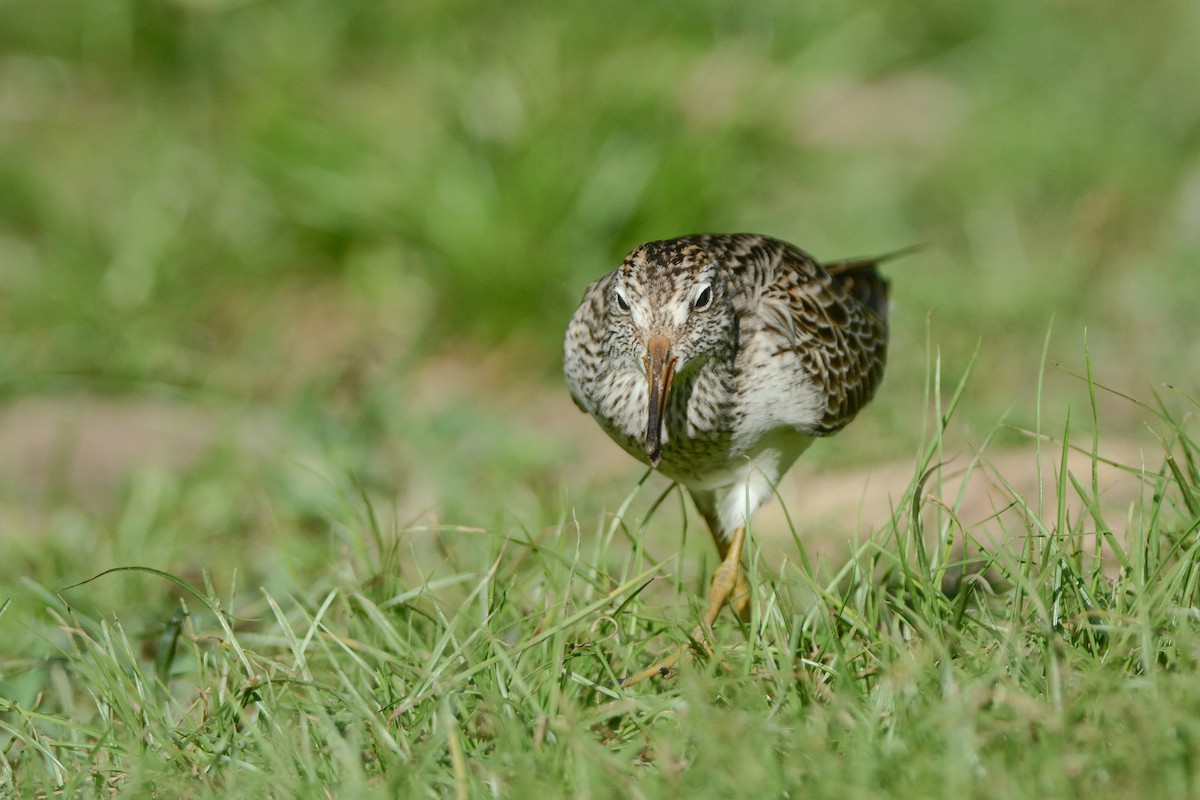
717	360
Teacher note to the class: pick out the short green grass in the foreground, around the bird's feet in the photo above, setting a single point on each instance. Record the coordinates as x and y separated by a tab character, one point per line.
484	663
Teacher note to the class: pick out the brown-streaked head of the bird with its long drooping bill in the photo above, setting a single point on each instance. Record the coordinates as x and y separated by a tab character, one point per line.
669	312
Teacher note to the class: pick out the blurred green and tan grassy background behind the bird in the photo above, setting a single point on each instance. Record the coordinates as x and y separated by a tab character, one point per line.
260	257
